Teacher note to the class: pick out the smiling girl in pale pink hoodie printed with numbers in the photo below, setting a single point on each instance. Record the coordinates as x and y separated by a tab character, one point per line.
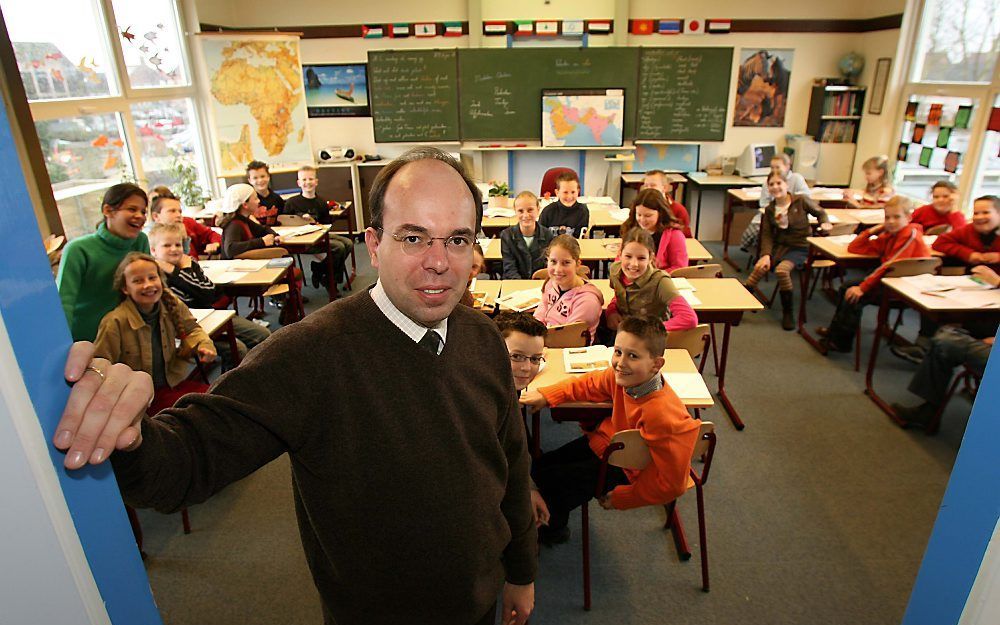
566	296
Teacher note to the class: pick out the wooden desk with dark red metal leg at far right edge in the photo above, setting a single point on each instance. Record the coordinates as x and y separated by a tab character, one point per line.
986	304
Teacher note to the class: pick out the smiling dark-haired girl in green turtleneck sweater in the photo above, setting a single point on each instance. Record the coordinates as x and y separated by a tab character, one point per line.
89	262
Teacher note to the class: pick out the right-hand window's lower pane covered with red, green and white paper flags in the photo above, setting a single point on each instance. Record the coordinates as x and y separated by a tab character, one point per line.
934	142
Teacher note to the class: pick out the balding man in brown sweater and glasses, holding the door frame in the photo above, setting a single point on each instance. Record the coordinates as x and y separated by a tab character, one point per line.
409	458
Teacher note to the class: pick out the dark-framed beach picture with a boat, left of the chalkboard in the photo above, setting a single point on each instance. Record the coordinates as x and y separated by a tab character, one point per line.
337	90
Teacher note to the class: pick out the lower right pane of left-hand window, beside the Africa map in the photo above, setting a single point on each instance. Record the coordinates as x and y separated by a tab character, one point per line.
166	133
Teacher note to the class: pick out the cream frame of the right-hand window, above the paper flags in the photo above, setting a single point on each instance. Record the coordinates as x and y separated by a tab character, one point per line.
983	93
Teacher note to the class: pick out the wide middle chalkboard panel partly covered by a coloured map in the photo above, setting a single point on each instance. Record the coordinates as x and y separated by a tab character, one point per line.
500	89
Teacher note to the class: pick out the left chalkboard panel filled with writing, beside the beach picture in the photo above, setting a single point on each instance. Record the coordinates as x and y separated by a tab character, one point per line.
414	95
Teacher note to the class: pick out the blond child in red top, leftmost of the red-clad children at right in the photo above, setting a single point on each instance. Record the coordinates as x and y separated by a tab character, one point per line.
895	239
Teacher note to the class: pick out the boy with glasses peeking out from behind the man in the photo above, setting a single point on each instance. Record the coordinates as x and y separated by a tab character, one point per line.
525	339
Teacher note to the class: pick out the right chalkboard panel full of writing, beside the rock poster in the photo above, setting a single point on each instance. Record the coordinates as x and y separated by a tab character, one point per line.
683	93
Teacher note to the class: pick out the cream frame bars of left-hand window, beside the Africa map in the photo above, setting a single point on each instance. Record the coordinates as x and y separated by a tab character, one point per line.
45	110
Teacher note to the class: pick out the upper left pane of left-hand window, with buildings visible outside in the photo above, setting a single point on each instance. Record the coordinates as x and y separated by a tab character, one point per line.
60	48
